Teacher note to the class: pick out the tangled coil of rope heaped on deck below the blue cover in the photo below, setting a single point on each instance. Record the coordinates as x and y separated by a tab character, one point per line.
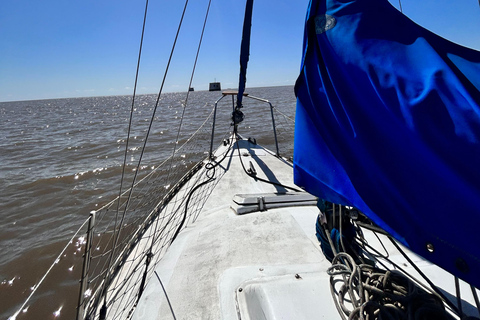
379	294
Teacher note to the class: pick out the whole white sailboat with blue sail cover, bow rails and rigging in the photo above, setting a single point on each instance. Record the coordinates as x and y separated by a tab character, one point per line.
375	218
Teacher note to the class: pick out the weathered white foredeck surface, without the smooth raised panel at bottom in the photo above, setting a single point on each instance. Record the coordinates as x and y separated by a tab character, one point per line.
221	243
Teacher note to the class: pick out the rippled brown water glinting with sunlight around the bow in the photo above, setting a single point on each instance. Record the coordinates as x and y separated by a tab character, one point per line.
62	158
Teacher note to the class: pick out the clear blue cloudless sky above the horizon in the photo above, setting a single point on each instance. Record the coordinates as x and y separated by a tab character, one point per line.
64	48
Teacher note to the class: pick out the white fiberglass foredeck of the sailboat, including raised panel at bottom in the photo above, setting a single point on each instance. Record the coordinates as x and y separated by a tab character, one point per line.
261	265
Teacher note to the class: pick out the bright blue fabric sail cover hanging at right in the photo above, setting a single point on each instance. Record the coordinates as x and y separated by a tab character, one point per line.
388	121
